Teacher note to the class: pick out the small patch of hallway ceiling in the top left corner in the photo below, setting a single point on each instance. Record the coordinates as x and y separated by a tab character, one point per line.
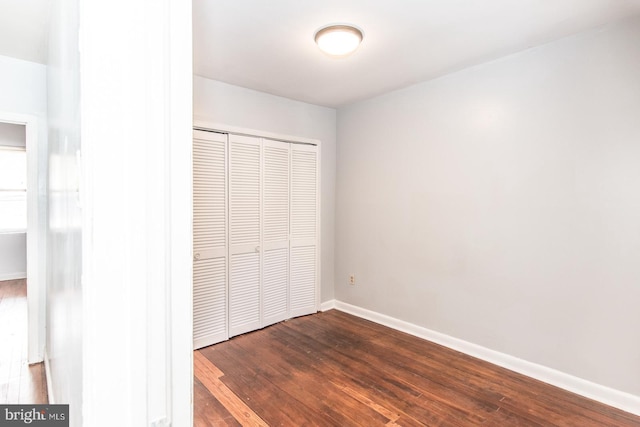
24	26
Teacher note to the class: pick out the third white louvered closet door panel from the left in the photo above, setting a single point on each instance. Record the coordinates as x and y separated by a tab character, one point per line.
275	231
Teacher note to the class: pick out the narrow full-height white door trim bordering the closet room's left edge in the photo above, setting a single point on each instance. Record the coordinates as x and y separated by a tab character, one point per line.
180	210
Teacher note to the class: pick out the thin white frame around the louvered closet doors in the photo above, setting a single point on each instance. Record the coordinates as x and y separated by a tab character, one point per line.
203	124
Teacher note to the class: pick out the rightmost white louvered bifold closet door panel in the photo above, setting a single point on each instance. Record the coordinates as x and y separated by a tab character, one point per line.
304	230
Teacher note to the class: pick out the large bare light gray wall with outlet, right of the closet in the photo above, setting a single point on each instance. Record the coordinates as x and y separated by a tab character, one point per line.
500	205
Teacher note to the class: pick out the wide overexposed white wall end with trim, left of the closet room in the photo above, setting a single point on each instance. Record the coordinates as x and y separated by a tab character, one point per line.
136	216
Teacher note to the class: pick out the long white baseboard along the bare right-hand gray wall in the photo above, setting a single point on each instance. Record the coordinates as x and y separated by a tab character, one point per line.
622	400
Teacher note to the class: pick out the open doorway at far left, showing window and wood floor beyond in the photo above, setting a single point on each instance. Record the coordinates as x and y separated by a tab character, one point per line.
21	309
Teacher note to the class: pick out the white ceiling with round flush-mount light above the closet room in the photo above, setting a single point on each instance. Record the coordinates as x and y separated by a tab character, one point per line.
268	45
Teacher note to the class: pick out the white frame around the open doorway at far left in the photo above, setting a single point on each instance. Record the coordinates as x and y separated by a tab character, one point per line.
35	266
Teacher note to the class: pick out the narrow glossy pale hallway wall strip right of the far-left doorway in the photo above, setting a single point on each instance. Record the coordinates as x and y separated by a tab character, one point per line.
65	296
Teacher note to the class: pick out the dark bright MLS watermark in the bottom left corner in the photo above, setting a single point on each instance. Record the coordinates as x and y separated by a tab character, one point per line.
34	415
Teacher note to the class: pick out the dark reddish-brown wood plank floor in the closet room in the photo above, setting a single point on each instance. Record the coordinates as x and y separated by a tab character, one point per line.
334	369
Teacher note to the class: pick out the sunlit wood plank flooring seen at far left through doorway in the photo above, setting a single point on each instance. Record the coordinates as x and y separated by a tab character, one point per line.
19	381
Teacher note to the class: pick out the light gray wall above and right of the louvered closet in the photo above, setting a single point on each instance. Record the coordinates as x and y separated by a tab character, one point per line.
235	106
